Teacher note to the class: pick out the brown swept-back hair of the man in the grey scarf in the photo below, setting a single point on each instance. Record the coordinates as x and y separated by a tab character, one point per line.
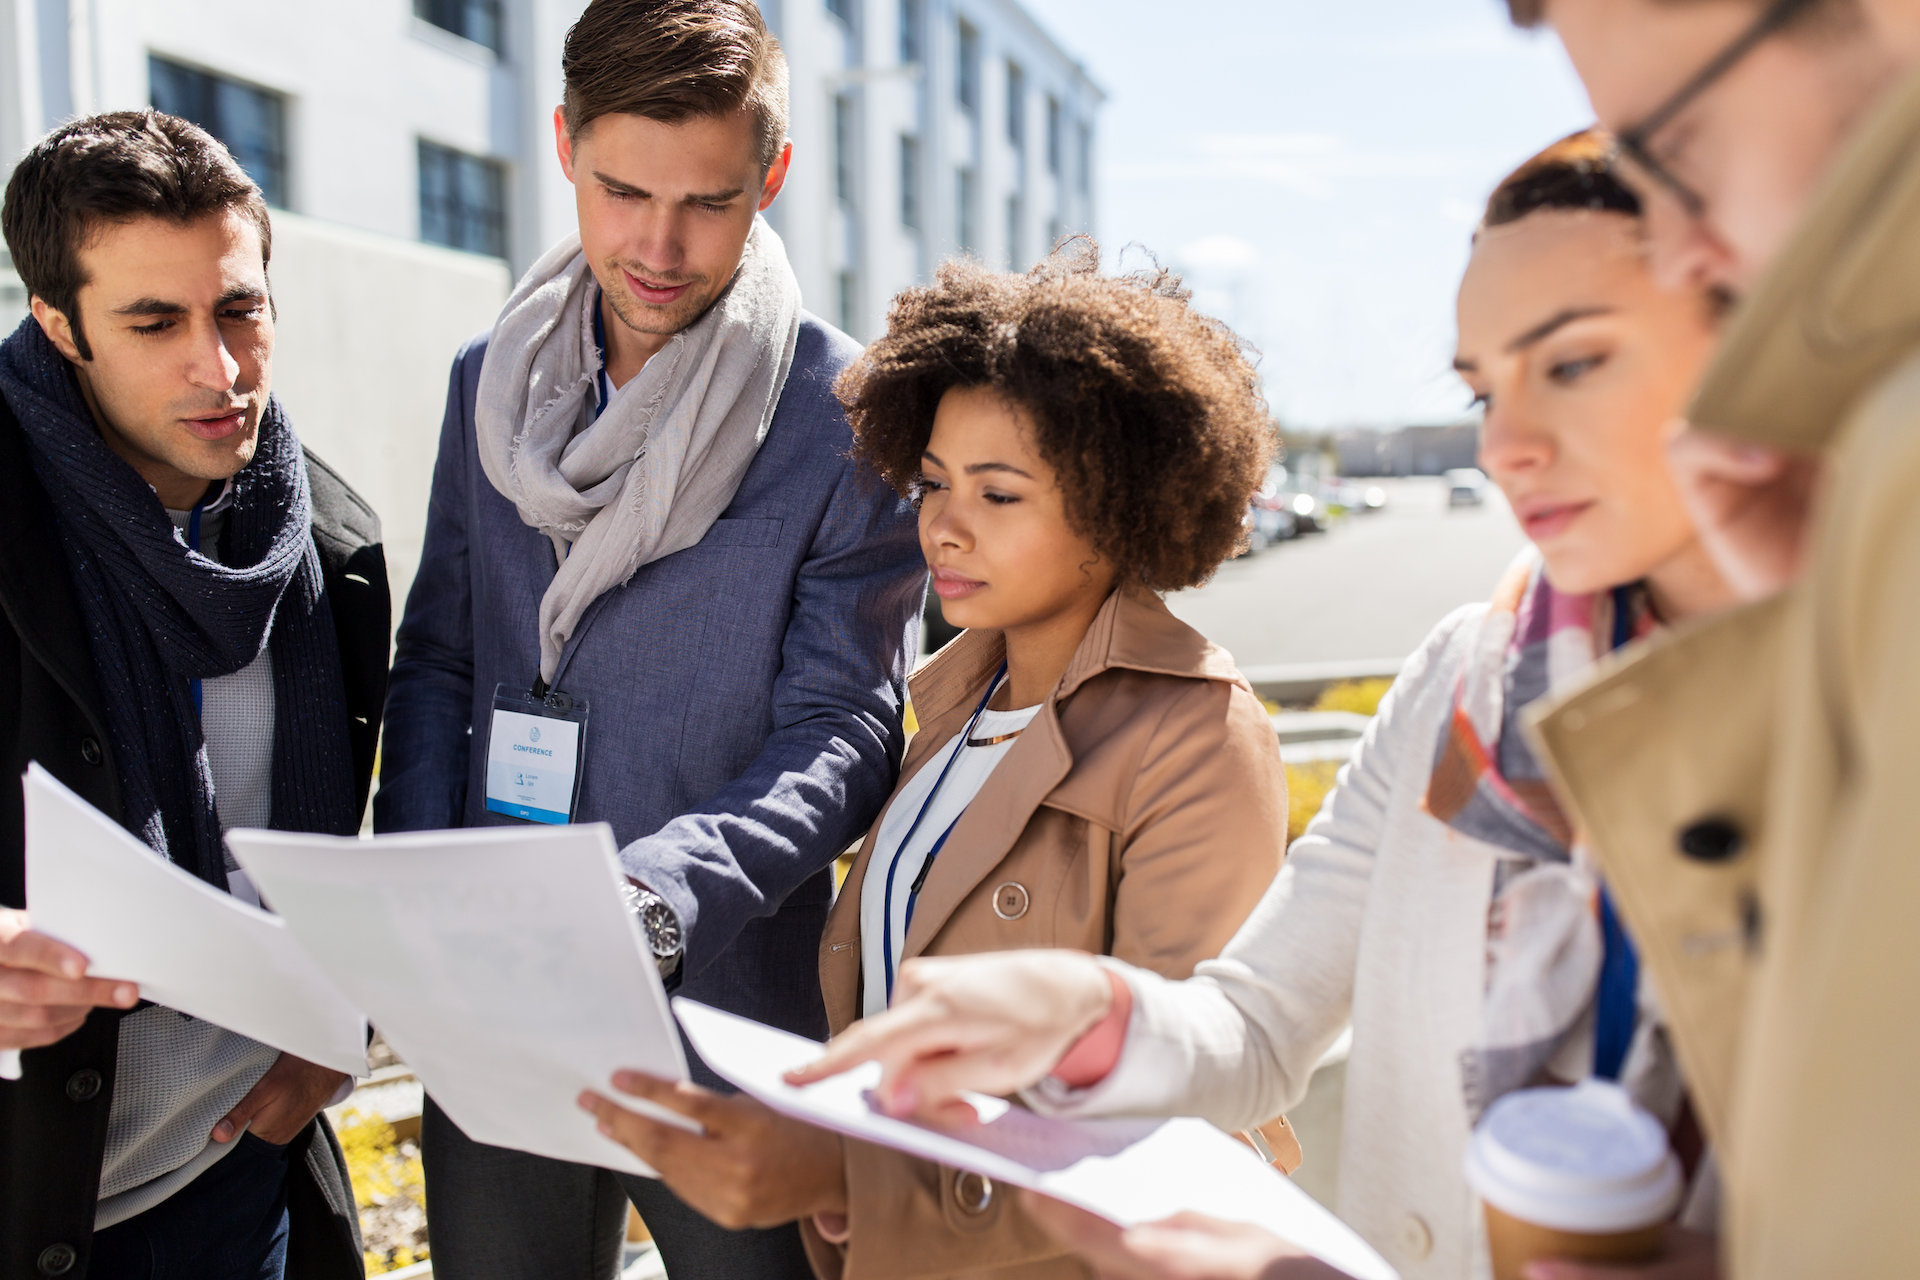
675	60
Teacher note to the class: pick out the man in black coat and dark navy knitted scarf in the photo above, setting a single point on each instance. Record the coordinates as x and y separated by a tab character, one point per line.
197	628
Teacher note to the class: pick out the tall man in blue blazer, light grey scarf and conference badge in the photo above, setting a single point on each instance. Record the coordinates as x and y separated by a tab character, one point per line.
650	546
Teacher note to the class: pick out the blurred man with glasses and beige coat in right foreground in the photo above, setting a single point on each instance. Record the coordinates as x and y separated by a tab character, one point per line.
1754	786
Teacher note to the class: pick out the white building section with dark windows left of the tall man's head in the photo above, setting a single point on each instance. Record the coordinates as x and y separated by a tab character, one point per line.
420	120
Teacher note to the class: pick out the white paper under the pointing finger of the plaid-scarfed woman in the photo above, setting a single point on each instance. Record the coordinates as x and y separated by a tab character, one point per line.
1124	1170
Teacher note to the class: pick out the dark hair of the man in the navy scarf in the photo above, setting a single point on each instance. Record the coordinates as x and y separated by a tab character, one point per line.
114	168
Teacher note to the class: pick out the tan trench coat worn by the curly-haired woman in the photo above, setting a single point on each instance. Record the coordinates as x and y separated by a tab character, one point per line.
1141	815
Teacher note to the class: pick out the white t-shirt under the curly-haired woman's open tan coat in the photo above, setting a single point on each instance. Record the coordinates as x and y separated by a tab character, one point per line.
890	878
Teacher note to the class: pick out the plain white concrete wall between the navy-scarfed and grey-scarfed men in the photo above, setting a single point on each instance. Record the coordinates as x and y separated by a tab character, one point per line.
366	335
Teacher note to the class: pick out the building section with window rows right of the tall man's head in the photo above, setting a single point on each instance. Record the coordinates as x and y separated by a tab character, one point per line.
926	130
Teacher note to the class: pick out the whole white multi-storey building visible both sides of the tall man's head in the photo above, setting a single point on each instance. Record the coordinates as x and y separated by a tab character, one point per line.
923	130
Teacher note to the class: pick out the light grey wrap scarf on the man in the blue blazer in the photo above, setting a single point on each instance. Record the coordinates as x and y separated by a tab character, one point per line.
665	458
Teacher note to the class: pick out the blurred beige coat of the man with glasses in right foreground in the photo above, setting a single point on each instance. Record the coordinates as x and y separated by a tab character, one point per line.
1752	786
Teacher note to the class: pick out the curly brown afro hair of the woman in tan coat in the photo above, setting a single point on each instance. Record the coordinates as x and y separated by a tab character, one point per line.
1149	412
